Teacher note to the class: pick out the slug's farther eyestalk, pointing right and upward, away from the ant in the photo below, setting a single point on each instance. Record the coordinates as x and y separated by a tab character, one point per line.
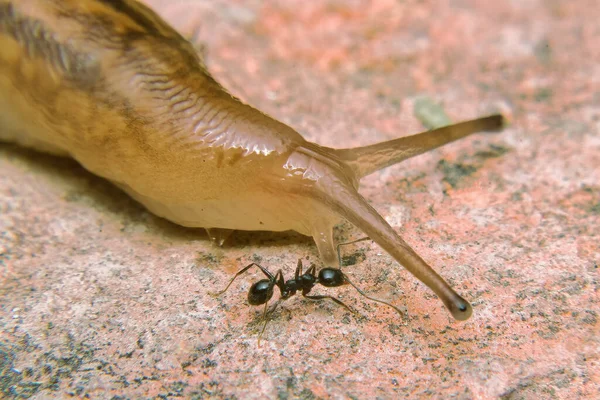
368	159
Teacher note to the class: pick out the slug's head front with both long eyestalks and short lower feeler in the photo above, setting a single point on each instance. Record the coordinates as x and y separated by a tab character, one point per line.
329	177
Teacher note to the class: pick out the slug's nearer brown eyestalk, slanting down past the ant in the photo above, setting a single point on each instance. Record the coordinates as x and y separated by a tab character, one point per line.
348	203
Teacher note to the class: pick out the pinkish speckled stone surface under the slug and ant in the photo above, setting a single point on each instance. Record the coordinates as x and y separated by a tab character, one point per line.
99	298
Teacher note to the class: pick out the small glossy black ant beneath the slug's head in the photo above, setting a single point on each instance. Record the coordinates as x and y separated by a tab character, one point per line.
262	291
